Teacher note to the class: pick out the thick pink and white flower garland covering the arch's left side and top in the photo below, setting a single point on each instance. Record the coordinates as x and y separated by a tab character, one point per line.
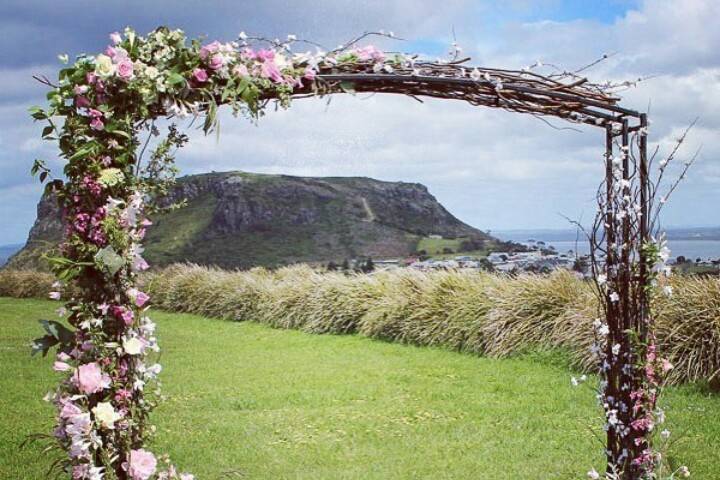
109	389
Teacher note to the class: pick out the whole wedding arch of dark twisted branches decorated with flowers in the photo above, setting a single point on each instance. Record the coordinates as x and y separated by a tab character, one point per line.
102	103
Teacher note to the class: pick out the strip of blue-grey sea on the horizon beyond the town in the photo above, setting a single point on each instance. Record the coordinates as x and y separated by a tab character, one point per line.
690	242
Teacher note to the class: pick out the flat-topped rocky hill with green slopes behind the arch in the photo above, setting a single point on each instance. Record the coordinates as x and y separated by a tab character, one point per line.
238	219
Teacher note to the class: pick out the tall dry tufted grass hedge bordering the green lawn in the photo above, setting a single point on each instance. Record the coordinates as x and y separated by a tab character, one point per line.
468	311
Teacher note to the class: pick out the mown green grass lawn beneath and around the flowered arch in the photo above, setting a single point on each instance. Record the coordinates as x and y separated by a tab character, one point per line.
277	404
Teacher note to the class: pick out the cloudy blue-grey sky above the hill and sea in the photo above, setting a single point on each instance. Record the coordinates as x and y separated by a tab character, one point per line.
493	169
